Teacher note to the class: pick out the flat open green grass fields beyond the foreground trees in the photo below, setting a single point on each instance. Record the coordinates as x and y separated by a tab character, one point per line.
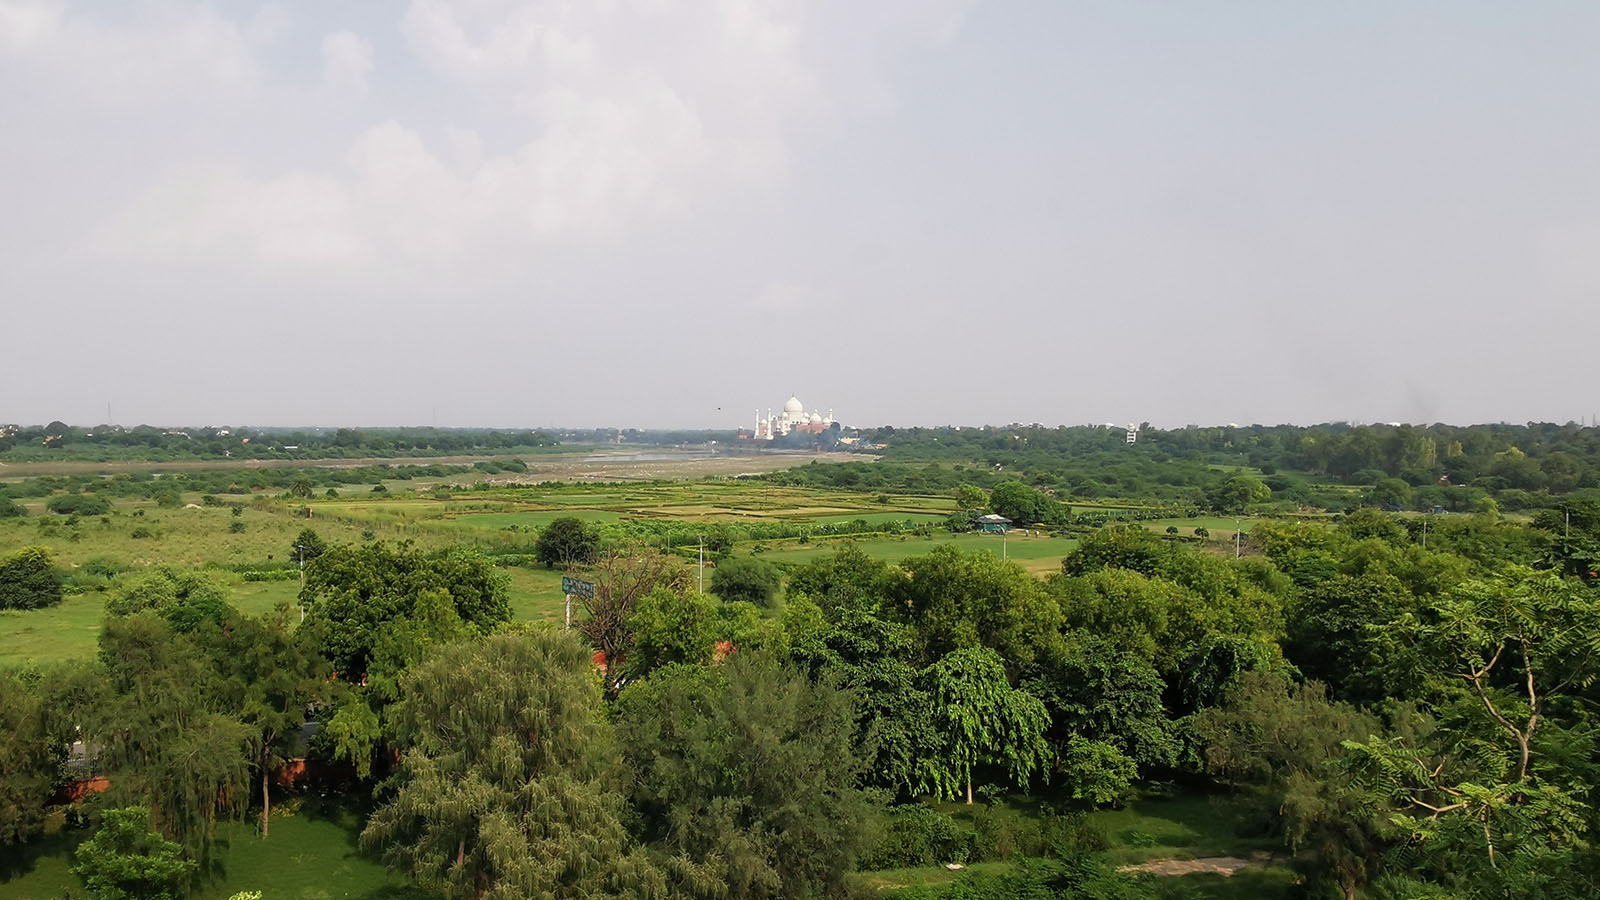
138	534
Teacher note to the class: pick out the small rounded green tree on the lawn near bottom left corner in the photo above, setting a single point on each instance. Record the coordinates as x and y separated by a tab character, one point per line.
127	861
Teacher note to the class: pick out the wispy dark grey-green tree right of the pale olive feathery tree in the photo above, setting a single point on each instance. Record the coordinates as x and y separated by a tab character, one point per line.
748	777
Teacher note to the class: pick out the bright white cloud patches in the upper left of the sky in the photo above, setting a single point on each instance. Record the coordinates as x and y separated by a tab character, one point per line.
593	119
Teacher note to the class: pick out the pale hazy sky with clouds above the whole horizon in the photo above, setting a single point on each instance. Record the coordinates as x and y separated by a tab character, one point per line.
670	214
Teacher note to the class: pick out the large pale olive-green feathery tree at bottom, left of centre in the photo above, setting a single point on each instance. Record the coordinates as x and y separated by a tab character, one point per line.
506	790
